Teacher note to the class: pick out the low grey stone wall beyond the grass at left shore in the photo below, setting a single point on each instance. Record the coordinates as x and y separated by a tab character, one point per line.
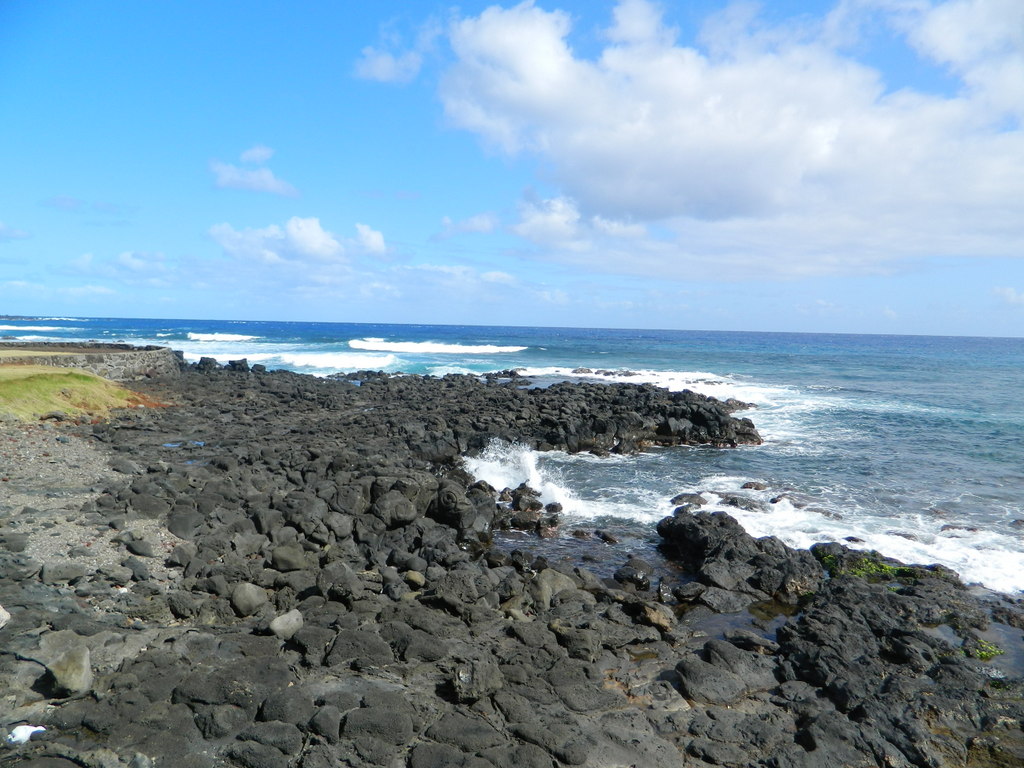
114	362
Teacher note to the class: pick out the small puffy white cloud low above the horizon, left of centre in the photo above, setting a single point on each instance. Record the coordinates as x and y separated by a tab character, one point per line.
301	239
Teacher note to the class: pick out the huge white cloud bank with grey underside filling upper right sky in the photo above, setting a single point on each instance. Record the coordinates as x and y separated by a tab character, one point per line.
770	149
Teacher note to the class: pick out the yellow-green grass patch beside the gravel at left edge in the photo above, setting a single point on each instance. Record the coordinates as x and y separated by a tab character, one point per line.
30	392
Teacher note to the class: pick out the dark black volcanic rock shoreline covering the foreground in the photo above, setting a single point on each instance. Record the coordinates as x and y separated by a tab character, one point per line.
298	573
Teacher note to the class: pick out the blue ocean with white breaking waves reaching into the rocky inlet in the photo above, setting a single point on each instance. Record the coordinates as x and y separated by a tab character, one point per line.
911	446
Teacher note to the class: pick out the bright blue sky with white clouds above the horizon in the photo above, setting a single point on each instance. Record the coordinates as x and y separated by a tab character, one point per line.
854	166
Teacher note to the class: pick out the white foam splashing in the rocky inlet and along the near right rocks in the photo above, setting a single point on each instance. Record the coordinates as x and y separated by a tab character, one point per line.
987	558
